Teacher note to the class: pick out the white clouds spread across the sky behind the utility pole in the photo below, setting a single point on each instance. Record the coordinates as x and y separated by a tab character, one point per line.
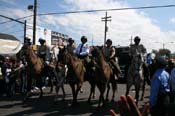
124	24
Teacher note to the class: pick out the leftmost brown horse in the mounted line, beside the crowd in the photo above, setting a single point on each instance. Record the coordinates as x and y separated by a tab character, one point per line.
34	69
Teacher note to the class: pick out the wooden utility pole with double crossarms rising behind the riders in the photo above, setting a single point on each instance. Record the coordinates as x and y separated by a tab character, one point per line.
106	19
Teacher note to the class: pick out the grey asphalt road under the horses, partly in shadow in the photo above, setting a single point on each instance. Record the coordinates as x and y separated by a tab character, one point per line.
46	106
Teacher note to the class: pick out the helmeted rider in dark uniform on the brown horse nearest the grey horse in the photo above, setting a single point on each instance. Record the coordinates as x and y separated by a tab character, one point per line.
109	53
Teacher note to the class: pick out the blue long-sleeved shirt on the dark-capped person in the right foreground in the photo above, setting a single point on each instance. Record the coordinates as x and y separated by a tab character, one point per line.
159	84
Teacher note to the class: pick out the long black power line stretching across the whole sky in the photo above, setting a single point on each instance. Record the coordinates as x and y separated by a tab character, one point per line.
101	10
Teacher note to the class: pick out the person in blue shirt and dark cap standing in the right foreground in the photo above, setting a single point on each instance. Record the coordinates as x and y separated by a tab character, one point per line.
160	89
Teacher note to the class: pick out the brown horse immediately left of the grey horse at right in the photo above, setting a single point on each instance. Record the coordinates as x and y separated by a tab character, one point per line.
103	75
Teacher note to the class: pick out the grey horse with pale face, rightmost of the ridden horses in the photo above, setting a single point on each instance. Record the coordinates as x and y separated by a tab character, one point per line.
135	76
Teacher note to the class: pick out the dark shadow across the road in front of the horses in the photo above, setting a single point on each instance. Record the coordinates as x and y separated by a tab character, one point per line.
46	106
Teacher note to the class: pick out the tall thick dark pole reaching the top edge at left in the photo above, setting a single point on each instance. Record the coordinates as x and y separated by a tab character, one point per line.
34	21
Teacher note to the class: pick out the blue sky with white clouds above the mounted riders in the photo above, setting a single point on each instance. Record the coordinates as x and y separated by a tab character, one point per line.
155	27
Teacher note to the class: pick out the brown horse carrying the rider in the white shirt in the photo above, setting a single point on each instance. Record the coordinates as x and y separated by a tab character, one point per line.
75	74
